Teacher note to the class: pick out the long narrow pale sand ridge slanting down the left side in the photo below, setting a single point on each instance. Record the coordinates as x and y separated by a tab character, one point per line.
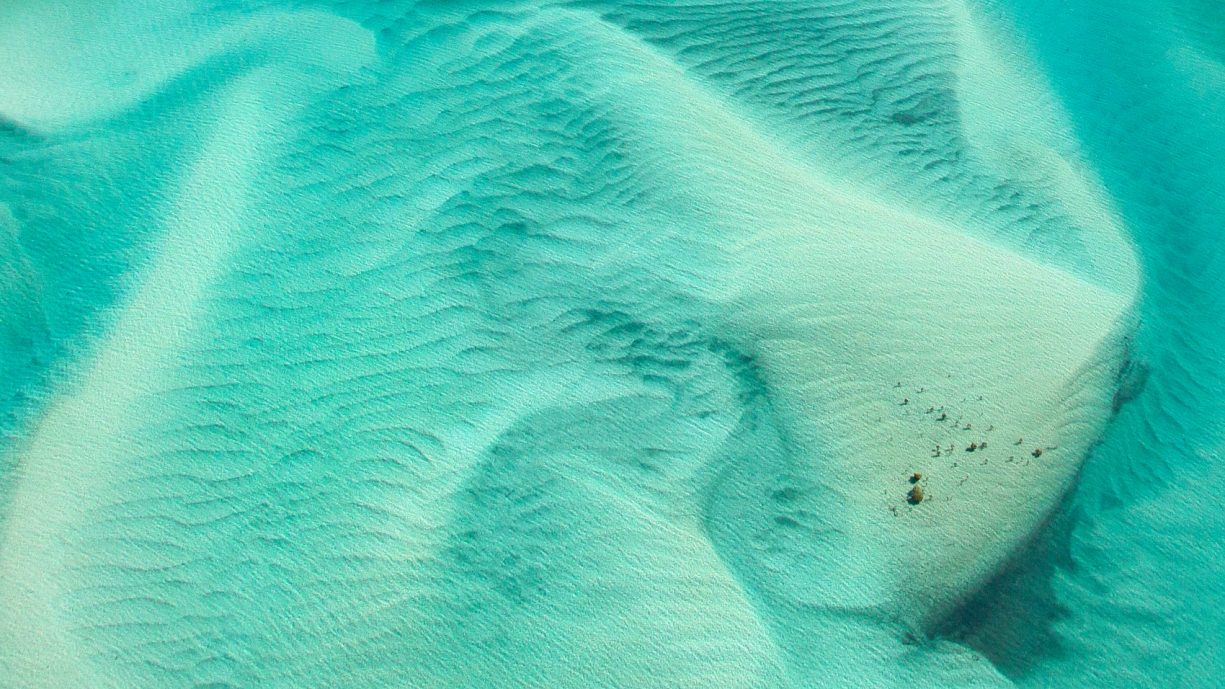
83	432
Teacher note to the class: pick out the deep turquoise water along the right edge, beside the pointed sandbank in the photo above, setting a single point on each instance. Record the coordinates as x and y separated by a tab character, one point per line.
1134	598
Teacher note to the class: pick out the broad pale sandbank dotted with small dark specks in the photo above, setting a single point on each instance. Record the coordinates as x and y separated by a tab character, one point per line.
842	300
